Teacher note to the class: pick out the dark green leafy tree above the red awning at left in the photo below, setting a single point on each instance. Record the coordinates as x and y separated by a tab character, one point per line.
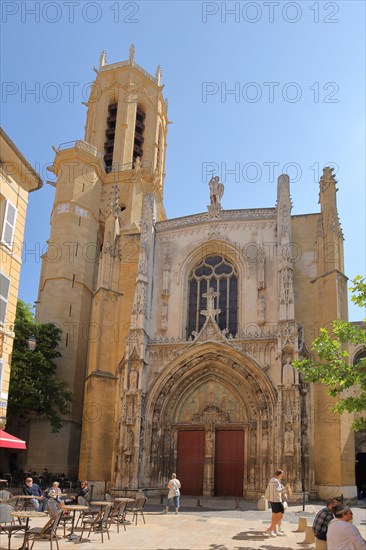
34	387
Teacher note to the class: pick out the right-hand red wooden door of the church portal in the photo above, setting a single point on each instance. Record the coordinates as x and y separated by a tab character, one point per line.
229	463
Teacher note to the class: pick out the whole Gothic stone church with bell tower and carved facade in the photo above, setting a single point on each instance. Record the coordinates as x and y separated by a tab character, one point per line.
179	334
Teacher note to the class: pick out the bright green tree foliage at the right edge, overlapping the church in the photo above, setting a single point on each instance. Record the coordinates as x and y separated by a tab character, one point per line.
332	367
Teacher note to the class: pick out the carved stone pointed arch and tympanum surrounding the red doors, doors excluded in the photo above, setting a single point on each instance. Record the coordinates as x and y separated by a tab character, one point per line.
209	387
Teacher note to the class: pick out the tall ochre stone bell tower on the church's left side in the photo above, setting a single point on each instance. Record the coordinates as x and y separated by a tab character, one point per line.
89	271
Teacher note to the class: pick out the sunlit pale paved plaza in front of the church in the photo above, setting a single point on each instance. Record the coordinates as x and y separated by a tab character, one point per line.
217	525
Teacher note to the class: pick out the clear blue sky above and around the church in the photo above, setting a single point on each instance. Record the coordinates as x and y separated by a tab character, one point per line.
296	70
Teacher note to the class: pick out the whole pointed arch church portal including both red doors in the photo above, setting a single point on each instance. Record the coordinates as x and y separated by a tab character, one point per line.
211	422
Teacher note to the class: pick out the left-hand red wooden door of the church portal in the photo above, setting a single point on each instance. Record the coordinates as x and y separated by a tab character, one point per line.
190	461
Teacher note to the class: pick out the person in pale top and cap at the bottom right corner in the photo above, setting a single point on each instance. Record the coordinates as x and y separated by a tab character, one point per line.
342	535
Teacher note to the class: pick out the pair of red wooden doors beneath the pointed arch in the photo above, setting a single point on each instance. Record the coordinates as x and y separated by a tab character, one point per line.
225	462
